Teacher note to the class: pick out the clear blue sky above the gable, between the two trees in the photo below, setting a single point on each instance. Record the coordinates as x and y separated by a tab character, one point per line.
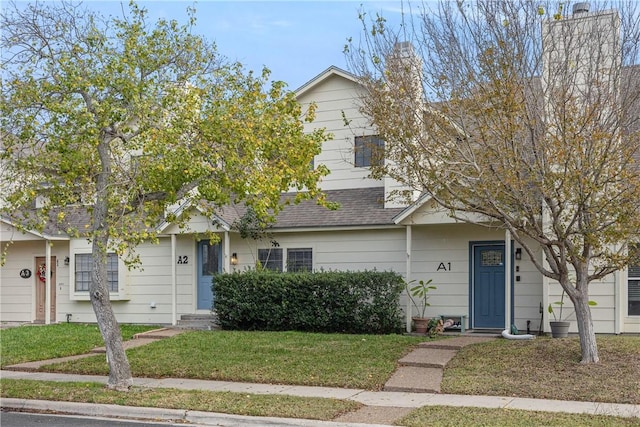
296	40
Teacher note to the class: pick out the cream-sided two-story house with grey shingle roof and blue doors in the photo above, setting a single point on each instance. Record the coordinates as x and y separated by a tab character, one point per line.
478	271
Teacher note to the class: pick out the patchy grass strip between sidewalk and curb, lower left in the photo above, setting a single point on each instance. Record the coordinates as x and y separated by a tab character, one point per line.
195	400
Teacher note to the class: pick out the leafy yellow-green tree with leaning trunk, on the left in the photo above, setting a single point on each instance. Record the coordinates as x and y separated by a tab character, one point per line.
126	119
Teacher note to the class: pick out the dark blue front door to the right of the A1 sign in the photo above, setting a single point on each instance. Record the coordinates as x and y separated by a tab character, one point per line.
488	286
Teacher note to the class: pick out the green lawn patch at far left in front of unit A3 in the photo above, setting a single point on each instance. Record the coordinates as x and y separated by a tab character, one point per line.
41	342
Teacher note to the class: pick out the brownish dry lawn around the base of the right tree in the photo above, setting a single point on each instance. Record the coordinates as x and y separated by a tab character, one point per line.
547	368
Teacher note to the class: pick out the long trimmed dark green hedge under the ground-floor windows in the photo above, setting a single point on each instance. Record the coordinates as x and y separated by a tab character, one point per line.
350	302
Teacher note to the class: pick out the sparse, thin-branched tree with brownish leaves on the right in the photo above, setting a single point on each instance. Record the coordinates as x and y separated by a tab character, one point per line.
519	116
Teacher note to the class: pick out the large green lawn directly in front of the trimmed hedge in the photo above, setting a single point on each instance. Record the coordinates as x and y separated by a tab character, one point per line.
331	360
